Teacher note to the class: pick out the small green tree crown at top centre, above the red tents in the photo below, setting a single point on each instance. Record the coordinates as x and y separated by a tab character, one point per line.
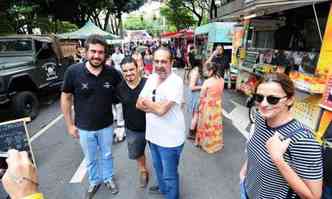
177	15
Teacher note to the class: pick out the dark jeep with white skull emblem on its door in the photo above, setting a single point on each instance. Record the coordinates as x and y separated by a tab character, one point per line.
30	64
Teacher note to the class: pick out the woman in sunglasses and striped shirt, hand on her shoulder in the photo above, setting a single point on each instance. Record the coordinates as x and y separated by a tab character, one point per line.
283	158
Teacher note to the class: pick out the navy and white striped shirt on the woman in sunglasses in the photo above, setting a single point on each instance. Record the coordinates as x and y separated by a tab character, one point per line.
263	178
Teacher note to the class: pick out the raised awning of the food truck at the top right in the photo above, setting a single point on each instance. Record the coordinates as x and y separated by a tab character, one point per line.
266	7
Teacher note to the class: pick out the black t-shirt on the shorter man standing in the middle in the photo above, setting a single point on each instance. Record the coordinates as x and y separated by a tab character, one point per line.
134	118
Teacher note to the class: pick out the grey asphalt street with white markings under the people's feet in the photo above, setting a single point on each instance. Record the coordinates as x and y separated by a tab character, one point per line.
202	175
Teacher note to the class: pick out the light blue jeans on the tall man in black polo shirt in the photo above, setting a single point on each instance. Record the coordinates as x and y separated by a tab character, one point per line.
97	148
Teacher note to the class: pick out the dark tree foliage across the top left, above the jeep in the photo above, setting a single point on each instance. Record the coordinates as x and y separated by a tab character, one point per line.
23	16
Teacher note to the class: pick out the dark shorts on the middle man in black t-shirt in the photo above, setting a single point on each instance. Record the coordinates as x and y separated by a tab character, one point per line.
136	143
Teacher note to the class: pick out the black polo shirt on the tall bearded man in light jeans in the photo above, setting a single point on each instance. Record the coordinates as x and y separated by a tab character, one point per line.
93	95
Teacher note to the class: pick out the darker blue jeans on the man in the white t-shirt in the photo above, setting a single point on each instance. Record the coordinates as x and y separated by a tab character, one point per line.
165	162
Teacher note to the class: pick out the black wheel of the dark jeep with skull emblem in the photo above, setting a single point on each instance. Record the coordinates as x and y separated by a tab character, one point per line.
26	104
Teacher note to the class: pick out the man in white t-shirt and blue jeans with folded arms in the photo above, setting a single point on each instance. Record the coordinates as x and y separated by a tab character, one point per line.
161	99
